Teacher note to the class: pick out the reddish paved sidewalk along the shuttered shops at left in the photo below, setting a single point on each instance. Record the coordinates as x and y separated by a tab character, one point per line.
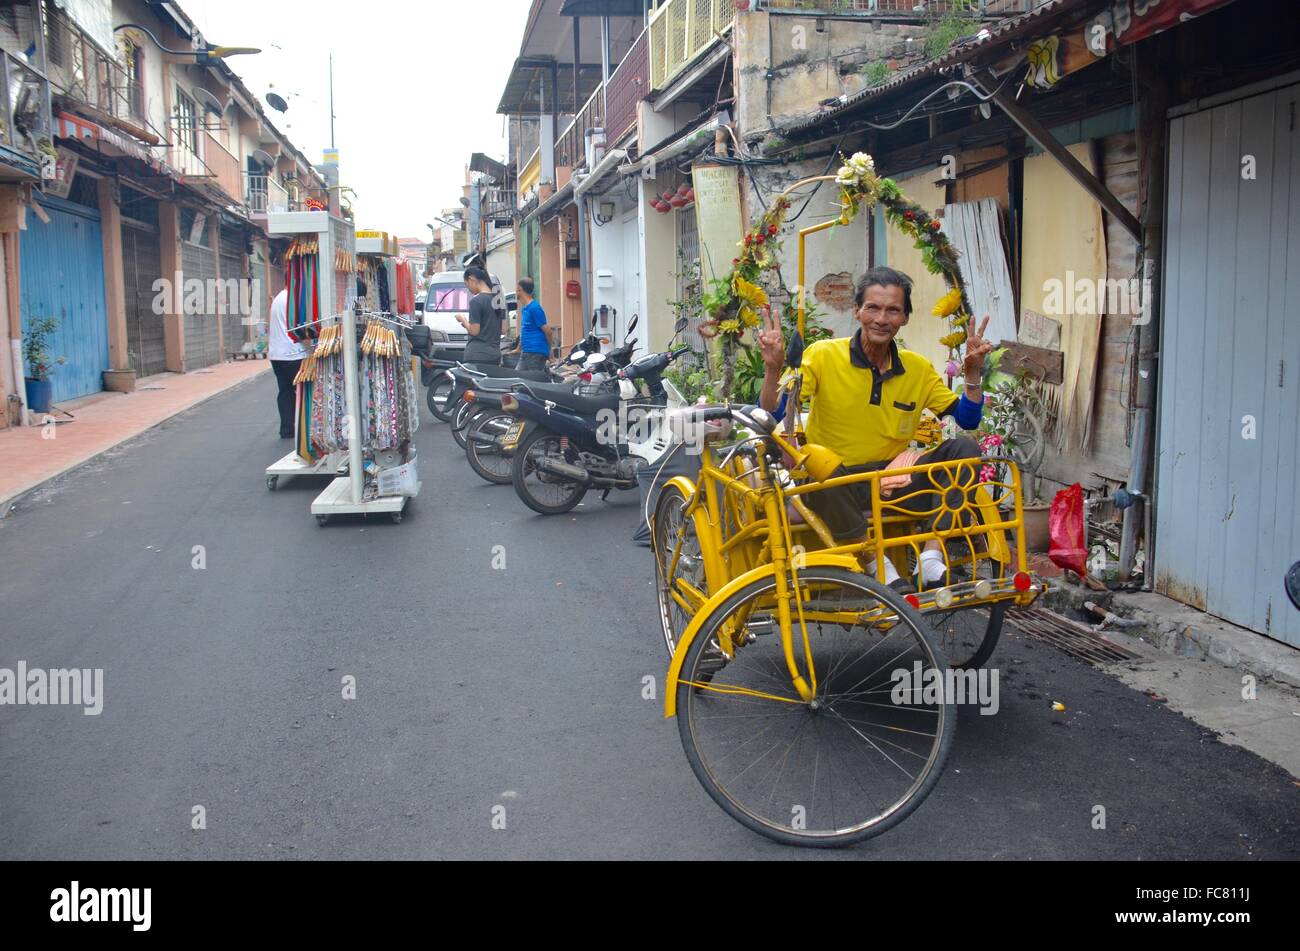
33	455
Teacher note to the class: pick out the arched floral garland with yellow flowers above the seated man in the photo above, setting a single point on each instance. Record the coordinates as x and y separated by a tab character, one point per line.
736	299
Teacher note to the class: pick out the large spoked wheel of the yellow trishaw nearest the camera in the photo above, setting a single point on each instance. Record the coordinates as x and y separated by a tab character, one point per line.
860	755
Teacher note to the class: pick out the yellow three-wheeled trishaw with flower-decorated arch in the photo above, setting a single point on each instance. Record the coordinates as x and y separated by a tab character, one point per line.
816	704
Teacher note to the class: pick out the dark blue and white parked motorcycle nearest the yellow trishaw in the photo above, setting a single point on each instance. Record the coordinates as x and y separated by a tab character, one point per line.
565	441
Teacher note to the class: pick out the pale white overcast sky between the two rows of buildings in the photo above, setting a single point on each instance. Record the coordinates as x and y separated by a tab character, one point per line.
417	88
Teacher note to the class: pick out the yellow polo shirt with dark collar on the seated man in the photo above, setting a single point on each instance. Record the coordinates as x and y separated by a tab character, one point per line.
861	414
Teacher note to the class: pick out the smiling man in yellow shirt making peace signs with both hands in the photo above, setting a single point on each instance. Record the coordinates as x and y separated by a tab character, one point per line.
868	397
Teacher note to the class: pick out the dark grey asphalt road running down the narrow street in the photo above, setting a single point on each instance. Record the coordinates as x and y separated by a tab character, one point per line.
475	688
